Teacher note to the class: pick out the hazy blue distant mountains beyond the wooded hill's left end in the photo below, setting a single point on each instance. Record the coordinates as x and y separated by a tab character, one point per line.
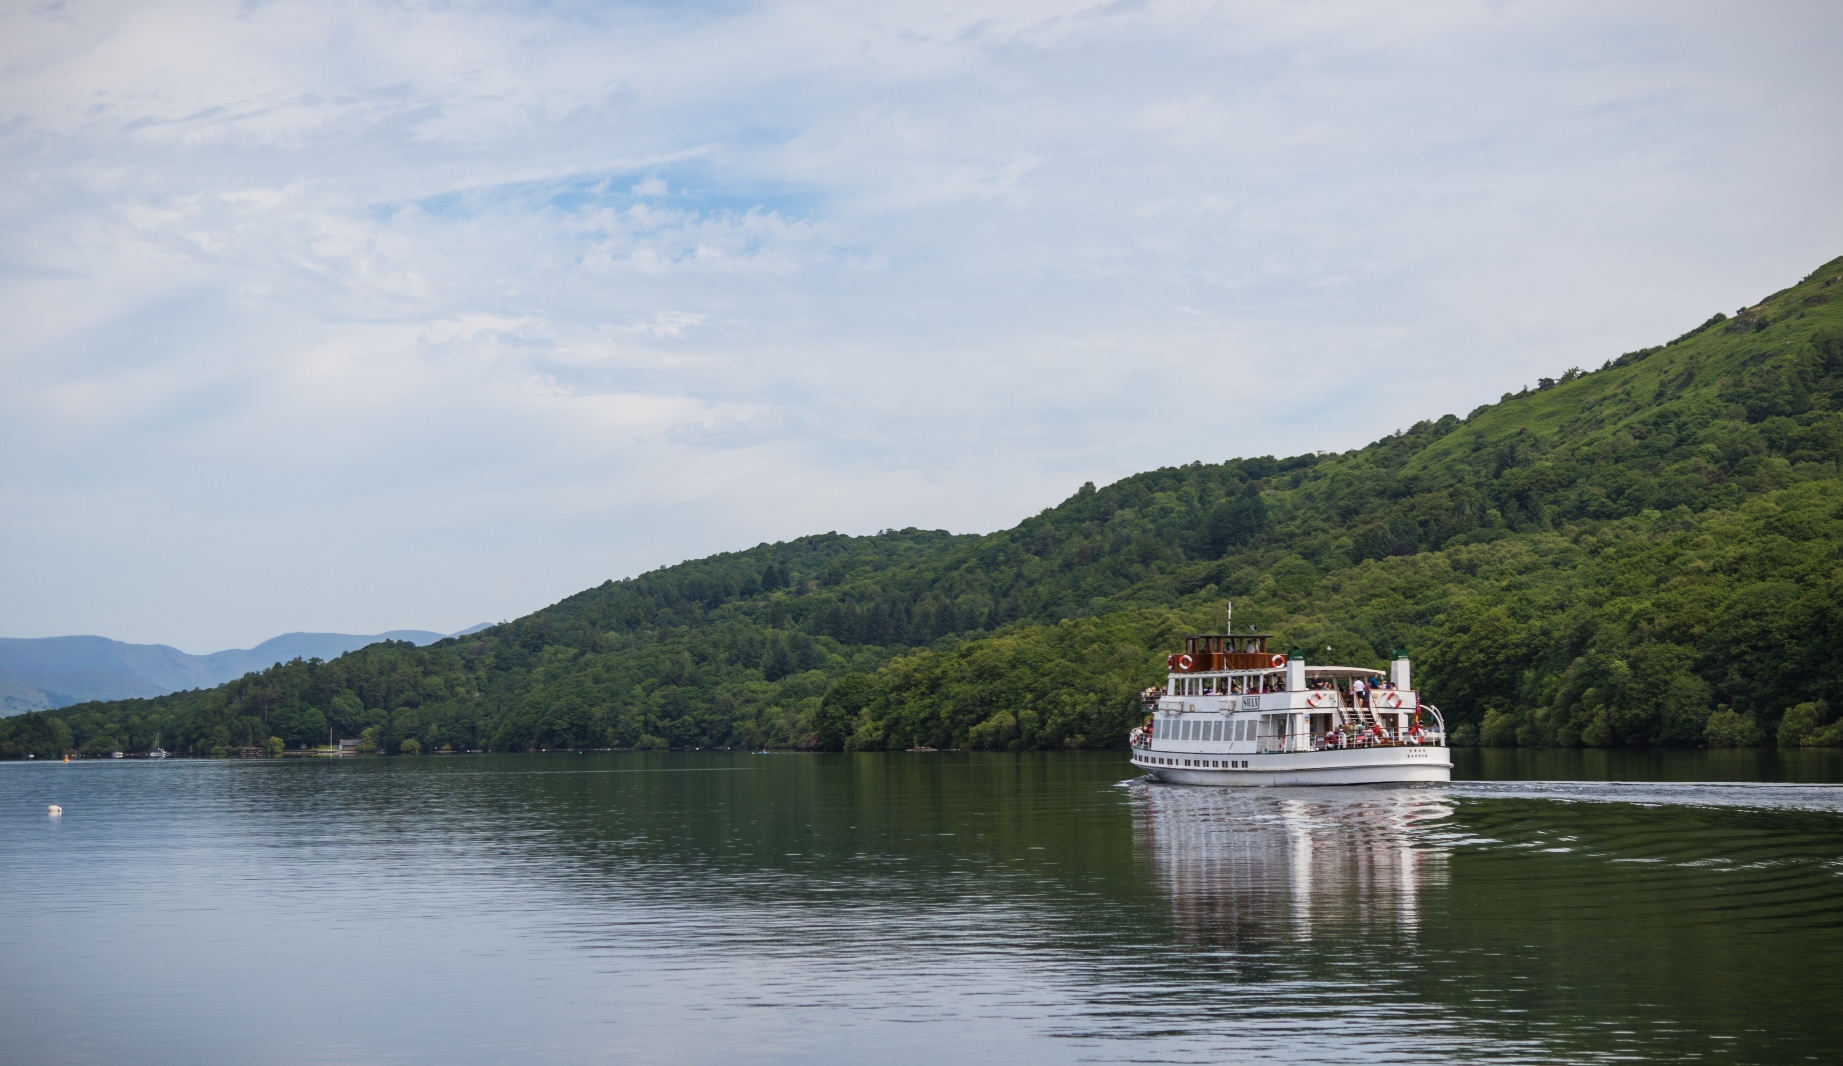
47	672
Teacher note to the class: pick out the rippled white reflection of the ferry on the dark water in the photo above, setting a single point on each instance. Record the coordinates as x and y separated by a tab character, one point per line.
1265	866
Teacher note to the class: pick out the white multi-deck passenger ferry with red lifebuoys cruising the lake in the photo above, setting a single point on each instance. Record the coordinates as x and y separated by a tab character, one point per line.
1236	713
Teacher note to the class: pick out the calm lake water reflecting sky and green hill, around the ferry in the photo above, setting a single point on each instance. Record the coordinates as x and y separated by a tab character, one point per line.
919	908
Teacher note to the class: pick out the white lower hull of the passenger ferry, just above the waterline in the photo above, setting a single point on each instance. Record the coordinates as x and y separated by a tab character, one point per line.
1341	766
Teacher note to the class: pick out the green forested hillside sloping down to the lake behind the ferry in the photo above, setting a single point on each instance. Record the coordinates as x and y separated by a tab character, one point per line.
1641	554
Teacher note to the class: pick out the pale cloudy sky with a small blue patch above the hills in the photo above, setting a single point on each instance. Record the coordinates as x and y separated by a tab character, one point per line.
360	316
